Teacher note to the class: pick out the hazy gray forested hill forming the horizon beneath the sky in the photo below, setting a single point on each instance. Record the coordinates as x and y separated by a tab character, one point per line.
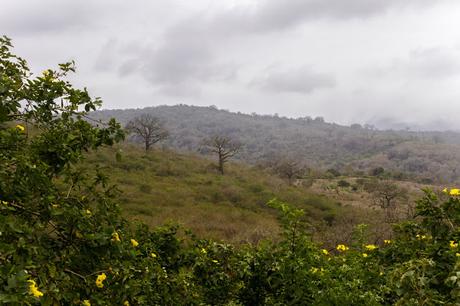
426	156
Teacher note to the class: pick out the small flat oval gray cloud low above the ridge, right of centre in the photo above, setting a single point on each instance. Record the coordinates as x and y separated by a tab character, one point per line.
301	80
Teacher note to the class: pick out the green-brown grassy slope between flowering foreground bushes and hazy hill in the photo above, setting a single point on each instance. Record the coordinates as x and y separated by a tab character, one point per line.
163	186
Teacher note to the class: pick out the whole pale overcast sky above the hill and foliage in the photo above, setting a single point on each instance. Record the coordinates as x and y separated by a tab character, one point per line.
365	61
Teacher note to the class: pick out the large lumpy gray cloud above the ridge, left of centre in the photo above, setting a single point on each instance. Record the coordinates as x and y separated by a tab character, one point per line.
178	63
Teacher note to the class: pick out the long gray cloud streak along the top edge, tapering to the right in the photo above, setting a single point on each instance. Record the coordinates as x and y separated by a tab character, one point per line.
275	15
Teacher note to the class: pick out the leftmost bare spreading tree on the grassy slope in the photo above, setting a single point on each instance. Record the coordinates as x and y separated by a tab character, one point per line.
148	128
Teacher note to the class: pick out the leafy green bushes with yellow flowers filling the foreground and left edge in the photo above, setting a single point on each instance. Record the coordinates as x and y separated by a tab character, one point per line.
63	241
